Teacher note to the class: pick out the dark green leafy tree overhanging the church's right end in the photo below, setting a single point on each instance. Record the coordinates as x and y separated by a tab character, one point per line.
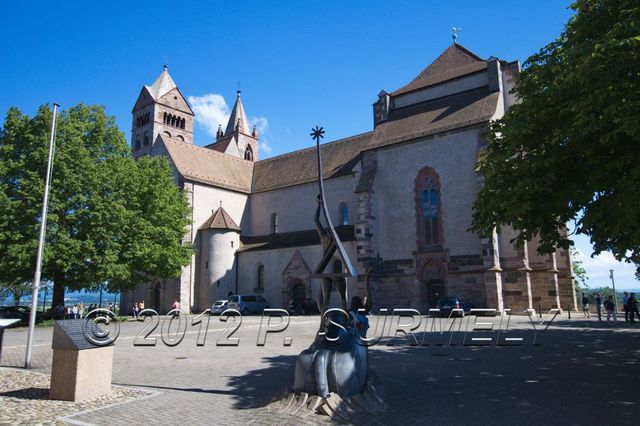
570	150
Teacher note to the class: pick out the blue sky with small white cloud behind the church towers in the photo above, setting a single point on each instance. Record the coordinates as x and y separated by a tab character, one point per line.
298	64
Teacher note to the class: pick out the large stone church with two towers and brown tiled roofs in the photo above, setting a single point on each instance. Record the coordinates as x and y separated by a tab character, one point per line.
400	196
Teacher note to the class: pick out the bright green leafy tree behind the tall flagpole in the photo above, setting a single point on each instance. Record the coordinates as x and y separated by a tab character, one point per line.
112	221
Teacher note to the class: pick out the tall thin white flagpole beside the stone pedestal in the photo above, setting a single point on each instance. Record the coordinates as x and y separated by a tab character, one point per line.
43	226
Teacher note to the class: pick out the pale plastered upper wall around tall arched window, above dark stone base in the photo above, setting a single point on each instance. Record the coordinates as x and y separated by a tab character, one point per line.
453	157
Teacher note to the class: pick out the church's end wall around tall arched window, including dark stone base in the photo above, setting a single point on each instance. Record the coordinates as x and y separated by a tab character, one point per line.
404	268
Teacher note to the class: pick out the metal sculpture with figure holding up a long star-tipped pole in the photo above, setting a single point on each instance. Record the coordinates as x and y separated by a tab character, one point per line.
335	366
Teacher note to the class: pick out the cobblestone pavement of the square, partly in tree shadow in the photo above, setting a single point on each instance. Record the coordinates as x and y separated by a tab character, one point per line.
582	372
